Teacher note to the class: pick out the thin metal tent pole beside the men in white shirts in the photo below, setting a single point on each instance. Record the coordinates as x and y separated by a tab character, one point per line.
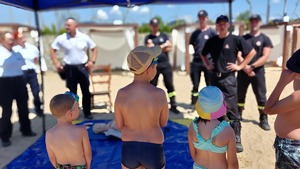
36	16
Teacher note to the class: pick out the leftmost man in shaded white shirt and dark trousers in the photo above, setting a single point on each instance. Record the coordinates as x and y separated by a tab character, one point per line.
12	87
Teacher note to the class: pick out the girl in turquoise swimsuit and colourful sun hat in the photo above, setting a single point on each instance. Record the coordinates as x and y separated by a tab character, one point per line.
210	139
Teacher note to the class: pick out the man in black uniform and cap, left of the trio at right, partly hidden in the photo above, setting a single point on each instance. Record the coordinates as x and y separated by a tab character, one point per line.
198	39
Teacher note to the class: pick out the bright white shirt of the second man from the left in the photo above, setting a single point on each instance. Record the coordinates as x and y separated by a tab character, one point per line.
29	53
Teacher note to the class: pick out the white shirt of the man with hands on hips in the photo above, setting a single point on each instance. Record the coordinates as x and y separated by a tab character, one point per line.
74	47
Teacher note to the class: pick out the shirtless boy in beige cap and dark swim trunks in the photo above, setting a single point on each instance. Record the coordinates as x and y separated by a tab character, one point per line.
141	109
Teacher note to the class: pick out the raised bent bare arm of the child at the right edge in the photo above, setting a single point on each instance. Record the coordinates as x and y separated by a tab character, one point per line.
290	103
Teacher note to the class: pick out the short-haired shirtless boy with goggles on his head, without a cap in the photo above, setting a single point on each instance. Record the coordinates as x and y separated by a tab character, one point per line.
68	145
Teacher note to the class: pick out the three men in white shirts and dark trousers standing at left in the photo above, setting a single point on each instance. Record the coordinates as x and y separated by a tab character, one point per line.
18	67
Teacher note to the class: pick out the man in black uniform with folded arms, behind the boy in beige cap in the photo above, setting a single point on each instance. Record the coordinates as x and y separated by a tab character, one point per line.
164	67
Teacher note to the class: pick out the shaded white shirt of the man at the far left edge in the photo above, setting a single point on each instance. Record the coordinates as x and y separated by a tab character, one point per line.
10	63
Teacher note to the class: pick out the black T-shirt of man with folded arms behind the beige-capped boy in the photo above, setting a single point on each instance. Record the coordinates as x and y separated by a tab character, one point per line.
163	58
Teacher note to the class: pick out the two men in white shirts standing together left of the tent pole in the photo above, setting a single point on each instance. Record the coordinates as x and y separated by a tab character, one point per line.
17	68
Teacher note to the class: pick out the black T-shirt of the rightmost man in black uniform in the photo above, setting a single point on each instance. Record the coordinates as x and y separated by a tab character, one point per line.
258	43
